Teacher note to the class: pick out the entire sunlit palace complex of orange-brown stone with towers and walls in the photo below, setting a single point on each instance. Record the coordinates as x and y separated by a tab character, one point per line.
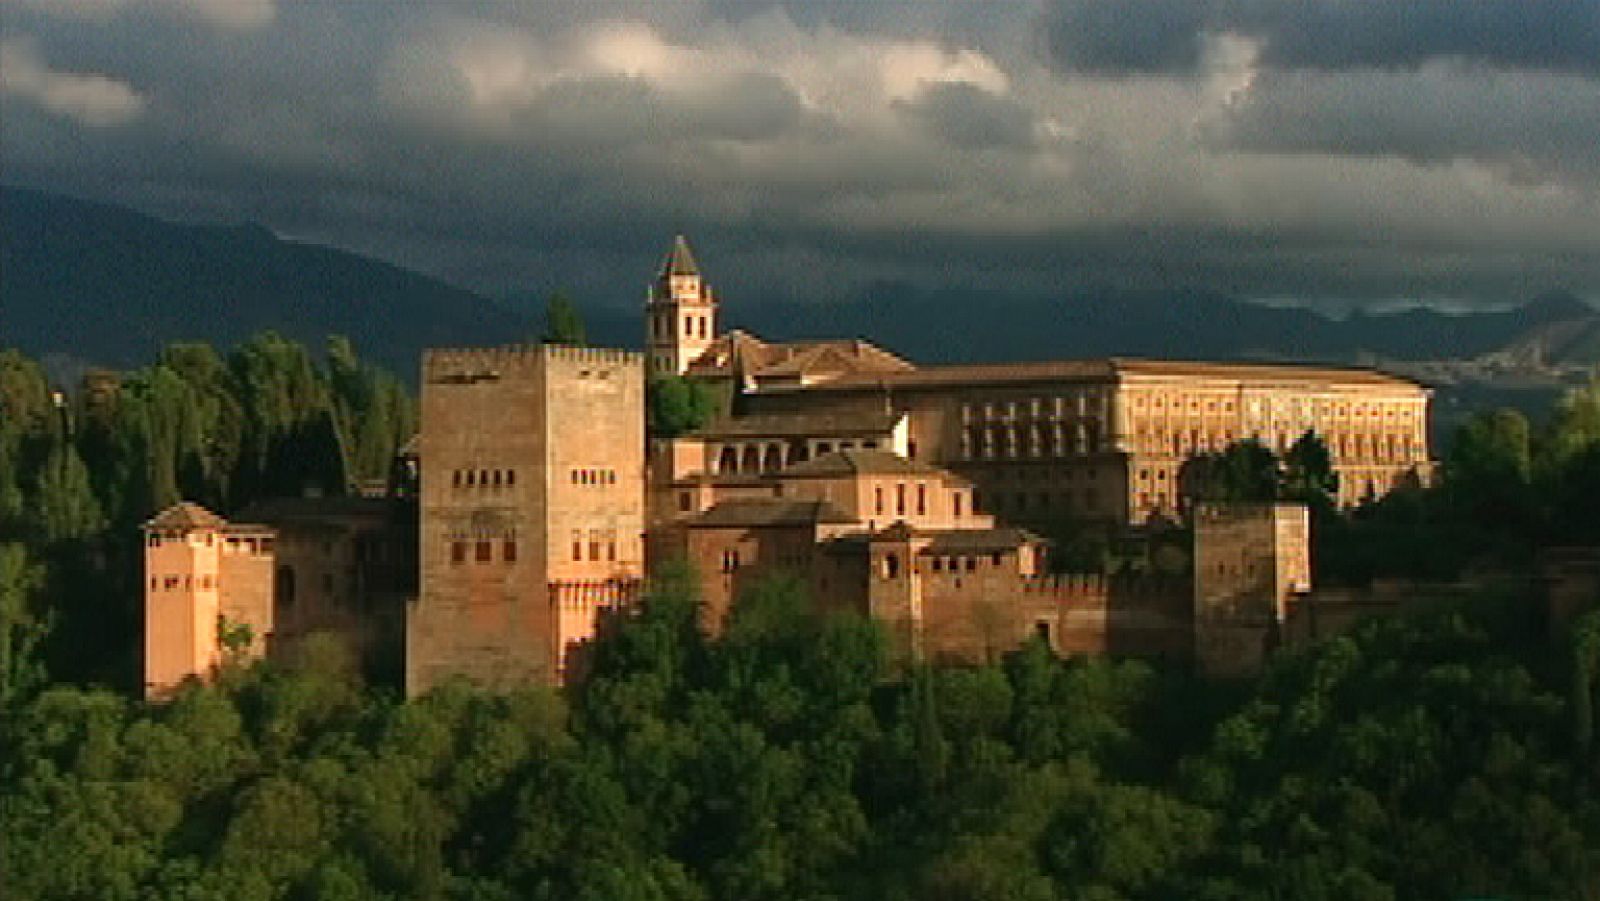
916	495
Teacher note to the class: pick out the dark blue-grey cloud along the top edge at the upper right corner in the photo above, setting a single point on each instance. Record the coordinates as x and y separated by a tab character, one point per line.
1130	38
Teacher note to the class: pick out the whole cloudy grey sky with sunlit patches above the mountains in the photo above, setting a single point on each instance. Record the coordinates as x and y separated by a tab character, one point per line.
1367	151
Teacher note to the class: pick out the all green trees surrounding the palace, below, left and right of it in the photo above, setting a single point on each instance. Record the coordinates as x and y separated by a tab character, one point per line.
1450	753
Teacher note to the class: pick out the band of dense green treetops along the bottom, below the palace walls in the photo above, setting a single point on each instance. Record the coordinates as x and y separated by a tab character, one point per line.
1438	756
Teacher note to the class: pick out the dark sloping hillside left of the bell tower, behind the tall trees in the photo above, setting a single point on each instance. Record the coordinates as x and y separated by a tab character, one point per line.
98	284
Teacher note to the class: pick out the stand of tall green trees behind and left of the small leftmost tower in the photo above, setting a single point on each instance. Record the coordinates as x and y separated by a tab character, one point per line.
81	471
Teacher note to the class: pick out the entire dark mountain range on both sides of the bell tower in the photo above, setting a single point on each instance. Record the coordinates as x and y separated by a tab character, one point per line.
106	286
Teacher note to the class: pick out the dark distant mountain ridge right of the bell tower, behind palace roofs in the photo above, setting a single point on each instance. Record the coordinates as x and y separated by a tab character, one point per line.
959	326
